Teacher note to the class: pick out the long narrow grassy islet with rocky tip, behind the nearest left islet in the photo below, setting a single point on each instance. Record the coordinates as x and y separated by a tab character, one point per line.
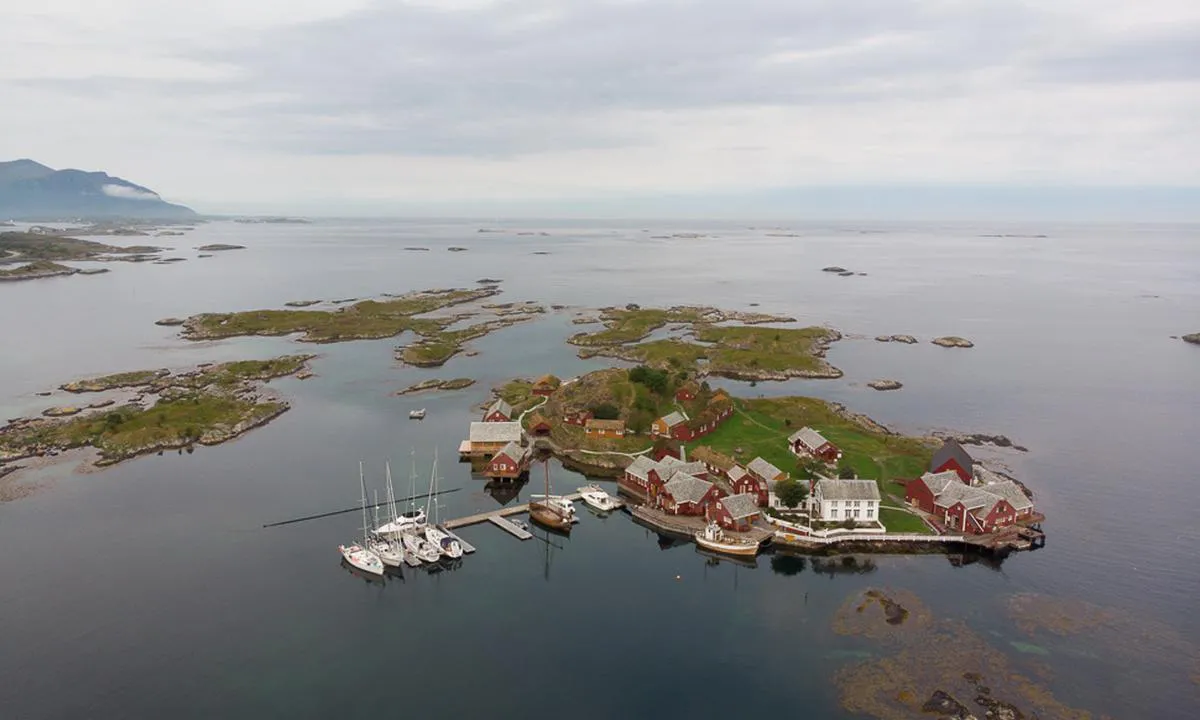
368	320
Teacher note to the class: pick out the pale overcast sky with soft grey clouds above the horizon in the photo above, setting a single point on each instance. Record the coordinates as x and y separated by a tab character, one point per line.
772	109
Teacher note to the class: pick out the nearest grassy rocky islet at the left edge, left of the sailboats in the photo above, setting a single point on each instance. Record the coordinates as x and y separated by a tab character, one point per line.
205	406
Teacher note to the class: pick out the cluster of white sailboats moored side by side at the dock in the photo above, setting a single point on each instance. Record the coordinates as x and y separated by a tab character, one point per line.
404	538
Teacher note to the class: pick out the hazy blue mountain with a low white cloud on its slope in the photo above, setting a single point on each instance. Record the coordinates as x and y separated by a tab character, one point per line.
31	190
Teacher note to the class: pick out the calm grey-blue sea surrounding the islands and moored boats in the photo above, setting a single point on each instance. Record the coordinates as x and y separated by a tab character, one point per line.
152	590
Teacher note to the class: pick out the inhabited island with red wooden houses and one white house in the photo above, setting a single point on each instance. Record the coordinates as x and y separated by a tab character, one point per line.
799	472
